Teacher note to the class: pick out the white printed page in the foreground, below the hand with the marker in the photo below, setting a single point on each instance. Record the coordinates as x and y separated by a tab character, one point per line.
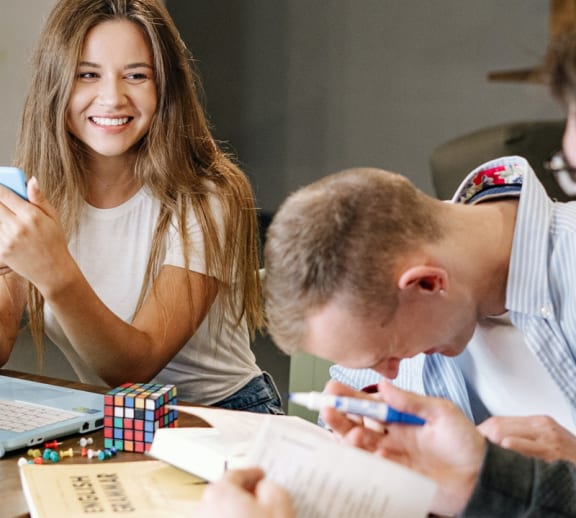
328	479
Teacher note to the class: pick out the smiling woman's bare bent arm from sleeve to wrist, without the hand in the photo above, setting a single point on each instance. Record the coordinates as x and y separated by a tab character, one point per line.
170	315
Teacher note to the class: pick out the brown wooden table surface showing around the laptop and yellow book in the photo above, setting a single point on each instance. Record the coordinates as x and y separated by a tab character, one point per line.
13	504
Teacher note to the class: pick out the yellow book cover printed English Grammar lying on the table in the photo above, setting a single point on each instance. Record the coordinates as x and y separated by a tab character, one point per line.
143	489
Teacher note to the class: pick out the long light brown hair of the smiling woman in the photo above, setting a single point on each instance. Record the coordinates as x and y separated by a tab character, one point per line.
178	160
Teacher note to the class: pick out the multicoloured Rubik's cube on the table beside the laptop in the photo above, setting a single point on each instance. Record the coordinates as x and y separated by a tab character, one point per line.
134	411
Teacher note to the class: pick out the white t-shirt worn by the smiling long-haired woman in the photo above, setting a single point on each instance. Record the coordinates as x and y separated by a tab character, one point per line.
112	247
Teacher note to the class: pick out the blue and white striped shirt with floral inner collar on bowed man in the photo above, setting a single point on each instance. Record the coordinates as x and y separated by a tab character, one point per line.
541	289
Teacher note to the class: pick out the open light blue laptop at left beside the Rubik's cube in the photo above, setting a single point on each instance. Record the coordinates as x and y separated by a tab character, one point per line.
32	412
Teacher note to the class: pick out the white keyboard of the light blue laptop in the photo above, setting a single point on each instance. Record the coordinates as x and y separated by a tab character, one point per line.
18	416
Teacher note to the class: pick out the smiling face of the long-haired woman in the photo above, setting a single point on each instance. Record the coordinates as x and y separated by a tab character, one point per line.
114	96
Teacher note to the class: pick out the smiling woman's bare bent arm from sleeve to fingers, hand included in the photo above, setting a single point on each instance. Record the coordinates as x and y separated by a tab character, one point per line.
36	248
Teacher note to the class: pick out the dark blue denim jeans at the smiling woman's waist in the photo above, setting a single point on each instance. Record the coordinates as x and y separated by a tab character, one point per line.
258	395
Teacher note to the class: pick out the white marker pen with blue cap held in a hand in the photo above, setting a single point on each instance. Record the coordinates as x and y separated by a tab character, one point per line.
363	407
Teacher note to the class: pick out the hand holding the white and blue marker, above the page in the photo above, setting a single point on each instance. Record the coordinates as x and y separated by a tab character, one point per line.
448	448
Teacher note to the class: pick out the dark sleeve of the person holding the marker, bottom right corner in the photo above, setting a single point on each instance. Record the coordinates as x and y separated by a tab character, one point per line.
513	485
